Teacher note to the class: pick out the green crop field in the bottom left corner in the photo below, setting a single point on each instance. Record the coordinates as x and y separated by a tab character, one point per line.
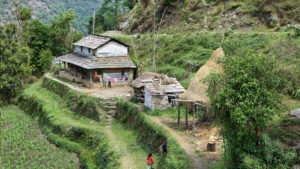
24	146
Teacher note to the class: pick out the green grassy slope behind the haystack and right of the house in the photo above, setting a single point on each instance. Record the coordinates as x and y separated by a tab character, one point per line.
182	54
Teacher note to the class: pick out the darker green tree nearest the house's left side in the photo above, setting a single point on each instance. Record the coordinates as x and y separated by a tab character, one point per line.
58	38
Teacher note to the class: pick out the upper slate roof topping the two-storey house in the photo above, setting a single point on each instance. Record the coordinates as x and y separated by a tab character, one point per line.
95	41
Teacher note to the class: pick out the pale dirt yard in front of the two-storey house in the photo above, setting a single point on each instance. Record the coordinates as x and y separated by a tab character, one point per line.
124	92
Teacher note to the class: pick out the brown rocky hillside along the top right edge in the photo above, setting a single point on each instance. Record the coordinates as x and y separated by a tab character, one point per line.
213	14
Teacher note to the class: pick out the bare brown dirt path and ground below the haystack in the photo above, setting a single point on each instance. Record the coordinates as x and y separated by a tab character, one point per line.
194	142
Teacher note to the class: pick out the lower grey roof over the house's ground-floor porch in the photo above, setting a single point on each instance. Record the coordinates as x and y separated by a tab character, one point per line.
98	62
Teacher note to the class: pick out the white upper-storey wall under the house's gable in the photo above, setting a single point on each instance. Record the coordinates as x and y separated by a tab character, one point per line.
113	48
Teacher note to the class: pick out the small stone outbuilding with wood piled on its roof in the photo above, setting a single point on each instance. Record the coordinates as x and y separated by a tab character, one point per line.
156	91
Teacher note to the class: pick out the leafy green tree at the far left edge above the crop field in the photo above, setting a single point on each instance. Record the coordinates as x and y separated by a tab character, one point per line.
15	66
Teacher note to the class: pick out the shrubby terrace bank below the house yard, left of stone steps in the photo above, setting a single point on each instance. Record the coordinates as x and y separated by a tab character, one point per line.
76	101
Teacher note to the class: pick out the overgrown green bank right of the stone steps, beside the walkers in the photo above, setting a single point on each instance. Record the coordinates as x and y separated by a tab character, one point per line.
152	136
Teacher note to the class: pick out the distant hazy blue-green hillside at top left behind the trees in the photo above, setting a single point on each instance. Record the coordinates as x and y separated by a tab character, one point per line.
46	9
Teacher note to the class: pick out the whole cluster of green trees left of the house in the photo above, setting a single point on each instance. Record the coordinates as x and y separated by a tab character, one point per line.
28	49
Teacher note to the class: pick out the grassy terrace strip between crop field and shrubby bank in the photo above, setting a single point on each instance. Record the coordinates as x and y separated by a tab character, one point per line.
68	129
